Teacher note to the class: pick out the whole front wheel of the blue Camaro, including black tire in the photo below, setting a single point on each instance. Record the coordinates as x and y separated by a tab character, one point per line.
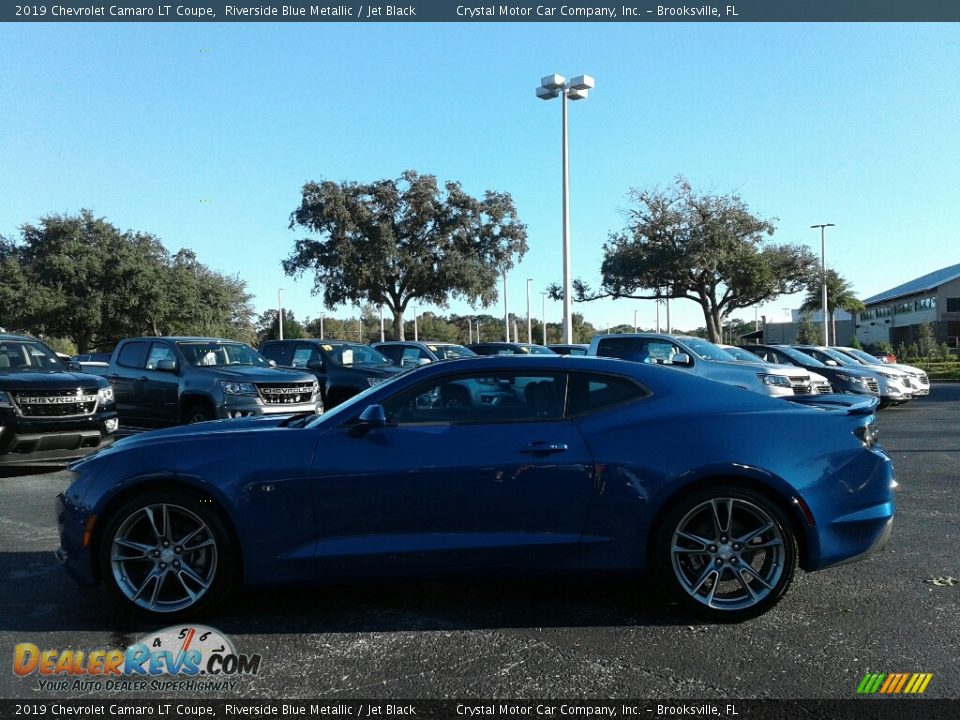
168	582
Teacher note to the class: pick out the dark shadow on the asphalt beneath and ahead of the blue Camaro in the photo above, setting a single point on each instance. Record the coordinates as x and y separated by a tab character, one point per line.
45	599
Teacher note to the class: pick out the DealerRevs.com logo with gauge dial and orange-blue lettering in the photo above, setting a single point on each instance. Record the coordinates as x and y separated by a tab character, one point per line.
191	658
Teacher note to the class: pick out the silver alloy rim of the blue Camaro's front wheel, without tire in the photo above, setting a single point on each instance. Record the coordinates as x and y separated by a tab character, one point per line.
164	558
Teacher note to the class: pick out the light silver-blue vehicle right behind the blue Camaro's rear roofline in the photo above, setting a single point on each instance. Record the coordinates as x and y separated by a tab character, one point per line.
699	357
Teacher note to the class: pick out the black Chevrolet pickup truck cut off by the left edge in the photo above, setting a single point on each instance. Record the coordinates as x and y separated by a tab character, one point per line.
49	411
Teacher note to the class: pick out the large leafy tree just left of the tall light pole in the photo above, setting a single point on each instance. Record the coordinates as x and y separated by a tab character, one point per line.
393	242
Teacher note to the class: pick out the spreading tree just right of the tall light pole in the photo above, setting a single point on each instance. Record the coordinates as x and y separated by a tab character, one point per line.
706	248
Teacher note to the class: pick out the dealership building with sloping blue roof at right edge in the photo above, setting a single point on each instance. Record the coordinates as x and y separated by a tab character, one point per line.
896	315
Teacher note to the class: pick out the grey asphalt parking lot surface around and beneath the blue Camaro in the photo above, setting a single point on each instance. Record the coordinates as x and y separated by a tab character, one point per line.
553	638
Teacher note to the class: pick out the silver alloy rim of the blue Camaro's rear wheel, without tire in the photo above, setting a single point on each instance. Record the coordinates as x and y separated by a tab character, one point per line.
728	553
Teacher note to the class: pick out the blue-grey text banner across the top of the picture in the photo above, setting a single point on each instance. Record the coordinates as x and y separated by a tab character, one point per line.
454	11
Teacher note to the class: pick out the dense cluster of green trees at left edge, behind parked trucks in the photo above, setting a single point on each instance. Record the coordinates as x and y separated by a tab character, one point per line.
80	277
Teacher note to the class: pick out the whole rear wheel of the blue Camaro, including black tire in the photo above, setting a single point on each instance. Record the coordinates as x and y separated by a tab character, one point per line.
710	579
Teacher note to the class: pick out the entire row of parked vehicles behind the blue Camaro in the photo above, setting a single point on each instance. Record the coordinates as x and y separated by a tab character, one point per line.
161	381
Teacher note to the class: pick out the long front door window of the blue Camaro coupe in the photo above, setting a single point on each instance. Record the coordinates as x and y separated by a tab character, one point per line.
480	399
